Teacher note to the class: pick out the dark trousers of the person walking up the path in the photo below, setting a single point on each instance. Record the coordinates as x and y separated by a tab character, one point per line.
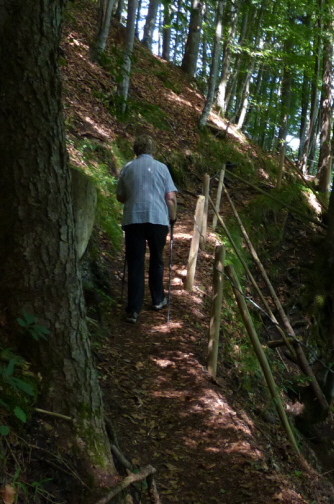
136	236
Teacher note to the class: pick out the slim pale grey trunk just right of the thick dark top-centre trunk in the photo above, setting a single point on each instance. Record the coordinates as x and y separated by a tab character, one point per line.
214	65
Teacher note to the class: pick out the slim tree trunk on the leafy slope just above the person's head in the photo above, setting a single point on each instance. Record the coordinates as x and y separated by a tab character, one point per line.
123	89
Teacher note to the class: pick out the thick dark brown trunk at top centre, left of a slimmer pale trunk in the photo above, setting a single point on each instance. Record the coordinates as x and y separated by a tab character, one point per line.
189	63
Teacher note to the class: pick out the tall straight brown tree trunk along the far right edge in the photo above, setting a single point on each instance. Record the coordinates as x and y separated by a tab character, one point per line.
324	164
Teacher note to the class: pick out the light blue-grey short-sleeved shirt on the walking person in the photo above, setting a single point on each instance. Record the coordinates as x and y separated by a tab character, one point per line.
144	183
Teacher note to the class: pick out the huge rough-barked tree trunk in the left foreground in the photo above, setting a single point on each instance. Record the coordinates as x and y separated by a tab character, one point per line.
38	259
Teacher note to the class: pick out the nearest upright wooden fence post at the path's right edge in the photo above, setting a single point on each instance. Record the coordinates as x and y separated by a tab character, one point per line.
218	270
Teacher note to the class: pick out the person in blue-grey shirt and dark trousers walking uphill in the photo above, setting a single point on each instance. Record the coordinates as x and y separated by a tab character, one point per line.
147	190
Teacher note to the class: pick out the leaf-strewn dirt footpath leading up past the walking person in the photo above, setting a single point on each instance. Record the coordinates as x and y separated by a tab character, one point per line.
167	412
